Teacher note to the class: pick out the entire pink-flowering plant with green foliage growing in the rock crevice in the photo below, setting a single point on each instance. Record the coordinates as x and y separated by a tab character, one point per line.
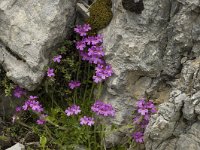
64	112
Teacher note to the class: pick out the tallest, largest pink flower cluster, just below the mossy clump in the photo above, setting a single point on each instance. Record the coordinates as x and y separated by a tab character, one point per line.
91	49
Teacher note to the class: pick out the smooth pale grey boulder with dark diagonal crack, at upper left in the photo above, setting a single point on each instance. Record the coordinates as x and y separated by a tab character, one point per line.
28	31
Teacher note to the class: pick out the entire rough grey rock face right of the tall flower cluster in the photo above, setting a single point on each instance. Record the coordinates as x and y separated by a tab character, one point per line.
156	54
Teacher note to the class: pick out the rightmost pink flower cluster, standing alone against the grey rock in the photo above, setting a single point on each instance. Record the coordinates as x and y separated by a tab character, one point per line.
144	110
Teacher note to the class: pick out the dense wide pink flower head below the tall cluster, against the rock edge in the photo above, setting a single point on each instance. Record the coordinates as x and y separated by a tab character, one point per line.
101	108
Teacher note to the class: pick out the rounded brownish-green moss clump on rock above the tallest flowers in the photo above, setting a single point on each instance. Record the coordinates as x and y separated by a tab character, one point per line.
100	14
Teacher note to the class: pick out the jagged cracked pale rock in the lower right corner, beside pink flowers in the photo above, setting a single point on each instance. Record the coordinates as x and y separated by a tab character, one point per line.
185	110
